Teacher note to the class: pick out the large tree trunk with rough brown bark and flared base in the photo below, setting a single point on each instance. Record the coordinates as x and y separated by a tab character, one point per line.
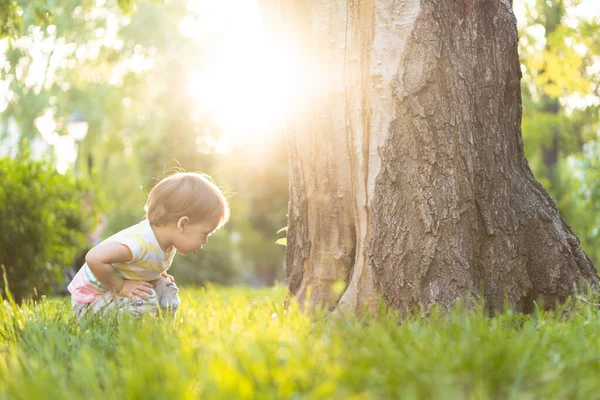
407	174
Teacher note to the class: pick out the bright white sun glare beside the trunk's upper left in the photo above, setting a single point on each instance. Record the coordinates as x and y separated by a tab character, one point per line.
248	82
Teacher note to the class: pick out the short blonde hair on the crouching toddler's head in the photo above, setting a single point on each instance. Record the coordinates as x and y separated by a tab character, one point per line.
190	194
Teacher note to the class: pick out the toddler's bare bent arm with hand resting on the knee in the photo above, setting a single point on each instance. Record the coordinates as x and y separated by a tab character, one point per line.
100	258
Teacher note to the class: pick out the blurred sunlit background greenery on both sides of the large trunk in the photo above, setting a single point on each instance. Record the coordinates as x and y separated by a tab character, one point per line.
112	95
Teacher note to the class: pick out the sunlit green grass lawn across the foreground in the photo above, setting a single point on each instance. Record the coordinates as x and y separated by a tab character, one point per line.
239	343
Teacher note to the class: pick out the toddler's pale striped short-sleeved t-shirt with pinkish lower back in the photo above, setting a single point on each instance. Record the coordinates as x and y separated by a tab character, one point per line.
148	262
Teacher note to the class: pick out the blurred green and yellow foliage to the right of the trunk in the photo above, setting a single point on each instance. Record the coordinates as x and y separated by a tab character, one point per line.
559	59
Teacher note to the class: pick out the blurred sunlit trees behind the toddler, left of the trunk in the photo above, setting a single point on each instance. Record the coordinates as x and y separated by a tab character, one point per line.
127	77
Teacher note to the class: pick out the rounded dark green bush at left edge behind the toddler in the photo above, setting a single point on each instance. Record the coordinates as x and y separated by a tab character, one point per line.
44	220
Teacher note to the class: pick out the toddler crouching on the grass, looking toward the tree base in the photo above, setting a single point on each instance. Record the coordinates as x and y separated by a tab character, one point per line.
128	271
